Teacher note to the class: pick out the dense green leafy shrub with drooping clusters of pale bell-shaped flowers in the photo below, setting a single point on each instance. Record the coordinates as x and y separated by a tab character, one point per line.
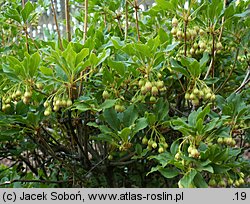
156	98
